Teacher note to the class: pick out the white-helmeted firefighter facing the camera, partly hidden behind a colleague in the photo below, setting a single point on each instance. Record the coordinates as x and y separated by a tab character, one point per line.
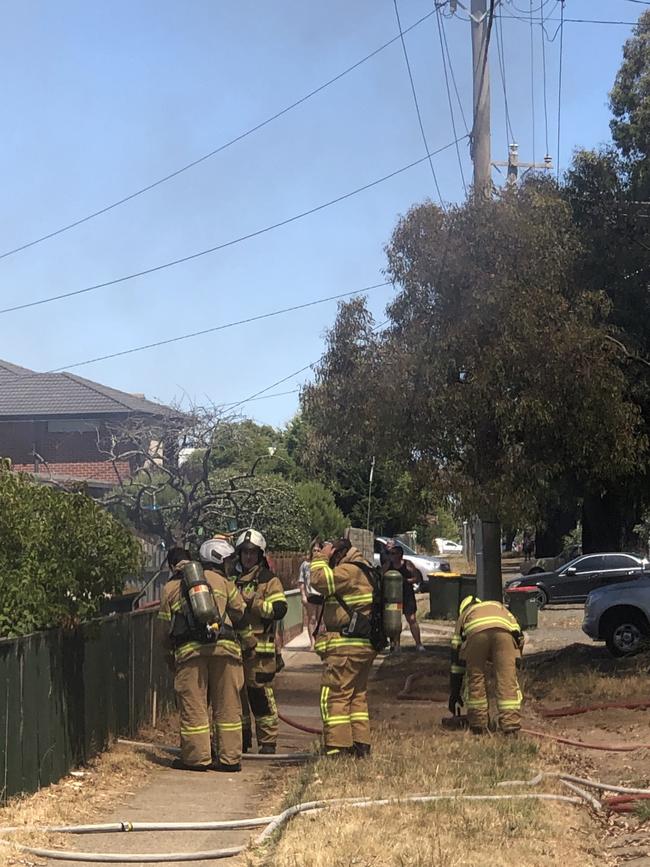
266	604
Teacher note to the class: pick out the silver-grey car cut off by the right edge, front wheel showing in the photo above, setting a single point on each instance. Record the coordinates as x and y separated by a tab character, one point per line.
619	615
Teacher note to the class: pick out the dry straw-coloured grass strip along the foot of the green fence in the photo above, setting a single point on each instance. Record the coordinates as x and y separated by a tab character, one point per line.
83	796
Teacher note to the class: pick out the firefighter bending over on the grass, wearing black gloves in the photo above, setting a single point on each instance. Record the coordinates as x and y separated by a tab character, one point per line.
486	632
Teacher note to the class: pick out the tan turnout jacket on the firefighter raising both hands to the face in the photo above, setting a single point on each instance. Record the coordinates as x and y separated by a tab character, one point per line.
351	583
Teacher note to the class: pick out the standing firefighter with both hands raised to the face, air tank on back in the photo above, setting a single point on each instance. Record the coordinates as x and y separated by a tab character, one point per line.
341	575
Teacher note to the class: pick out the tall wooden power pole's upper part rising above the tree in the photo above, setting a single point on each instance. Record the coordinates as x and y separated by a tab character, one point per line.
480	141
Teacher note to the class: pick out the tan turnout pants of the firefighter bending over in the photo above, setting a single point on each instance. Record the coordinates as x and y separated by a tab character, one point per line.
498	647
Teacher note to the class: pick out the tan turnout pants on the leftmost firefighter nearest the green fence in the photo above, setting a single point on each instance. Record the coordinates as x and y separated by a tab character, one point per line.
217	679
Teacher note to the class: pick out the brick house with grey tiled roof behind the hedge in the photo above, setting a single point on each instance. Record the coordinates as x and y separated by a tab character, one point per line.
52	424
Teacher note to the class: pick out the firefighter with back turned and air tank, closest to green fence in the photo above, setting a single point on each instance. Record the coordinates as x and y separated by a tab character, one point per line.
207	628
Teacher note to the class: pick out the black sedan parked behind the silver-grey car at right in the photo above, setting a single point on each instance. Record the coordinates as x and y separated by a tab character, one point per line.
574	581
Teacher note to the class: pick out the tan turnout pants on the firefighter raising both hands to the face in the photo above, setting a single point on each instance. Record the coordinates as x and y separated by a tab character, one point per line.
344	700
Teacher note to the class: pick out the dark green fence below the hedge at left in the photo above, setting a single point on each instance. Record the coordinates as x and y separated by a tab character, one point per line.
64	695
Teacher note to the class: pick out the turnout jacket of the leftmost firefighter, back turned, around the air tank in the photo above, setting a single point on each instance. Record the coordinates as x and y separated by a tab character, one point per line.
237	631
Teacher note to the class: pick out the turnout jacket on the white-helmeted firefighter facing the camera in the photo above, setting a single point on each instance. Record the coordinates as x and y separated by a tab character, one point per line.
266	604
